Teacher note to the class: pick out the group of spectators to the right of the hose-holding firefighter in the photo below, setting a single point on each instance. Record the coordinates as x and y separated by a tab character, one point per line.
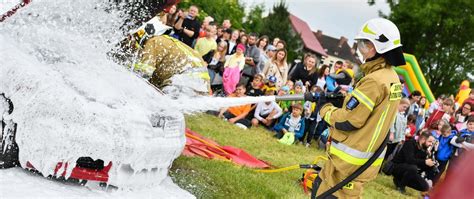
423	140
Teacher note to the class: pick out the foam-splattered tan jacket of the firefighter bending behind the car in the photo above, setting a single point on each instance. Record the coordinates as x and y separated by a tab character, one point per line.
162	57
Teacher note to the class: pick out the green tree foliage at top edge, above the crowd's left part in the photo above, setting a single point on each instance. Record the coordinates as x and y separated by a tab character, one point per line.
218	9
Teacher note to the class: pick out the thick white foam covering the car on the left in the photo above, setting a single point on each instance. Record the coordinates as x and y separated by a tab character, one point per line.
71	101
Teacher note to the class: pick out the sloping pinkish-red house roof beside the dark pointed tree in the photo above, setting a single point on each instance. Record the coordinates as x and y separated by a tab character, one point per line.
309	39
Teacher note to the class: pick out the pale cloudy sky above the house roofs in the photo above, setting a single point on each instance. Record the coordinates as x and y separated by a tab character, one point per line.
335	18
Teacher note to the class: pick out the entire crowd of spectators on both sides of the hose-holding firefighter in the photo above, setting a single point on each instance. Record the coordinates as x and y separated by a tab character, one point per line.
422	139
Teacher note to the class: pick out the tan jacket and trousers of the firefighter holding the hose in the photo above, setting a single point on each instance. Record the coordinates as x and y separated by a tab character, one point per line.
360	126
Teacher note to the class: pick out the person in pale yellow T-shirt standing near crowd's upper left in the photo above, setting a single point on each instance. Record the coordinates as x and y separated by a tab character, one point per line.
207	44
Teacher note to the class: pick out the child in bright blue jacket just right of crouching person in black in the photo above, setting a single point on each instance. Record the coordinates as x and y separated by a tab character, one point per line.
444	150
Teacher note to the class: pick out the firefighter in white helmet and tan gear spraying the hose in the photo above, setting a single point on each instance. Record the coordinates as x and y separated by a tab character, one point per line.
360	126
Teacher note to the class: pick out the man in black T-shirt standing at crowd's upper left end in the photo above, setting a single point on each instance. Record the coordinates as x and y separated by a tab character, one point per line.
187	27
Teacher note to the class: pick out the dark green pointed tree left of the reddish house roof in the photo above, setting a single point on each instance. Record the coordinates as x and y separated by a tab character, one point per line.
277	24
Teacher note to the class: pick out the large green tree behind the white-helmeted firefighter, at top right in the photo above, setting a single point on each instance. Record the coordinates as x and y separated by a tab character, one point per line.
440	34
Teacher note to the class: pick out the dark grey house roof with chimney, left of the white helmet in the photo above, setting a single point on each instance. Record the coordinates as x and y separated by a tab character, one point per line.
337	47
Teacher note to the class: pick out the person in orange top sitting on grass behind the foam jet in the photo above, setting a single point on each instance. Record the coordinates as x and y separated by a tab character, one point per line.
236	114
